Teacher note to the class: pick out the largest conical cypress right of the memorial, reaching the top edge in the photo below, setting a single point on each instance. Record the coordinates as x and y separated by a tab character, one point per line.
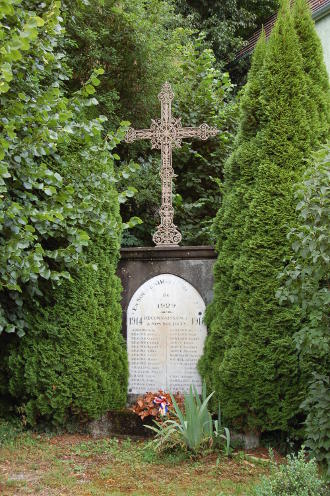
256	373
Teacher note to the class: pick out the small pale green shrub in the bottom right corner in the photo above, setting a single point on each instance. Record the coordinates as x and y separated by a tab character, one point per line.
297	477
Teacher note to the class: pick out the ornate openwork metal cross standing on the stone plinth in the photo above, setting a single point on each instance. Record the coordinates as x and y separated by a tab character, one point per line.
166	134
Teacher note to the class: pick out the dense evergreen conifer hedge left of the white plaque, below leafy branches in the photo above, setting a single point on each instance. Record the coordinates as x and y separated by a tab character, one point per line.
73	362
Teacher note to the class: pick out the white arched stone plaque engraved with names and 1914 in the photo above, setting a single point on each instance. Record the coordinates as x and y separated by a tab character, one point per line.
165	335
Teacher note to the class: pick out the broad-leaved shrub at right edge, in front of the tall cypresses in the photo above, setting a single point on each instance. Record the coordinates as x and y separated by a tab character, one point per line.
306	276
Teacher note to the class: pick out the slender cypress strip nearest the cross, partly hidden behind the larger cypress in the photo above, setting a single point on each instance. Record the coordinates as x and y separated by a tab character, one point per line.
229	222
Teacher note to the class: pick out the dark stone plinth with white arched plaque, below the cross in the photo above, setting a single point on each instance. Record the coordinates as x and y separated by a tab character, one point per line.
165	291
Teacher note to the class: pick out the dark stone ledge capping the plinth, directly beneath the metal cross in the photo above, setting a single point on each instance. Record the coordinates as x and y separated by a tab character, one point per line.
168	253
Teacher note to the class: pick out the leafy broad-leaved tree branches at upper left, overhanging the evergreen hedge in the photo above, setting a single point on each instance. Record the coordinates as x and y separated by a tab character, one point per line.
43	225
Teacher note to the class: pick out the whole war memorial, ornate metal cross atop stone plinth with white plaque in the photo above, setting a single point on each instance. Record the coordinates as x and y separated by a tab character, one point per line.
166	288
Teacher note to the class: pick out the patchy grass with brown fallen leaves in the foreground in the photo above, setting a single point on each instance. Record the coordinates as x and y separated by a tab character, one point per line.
78	465
